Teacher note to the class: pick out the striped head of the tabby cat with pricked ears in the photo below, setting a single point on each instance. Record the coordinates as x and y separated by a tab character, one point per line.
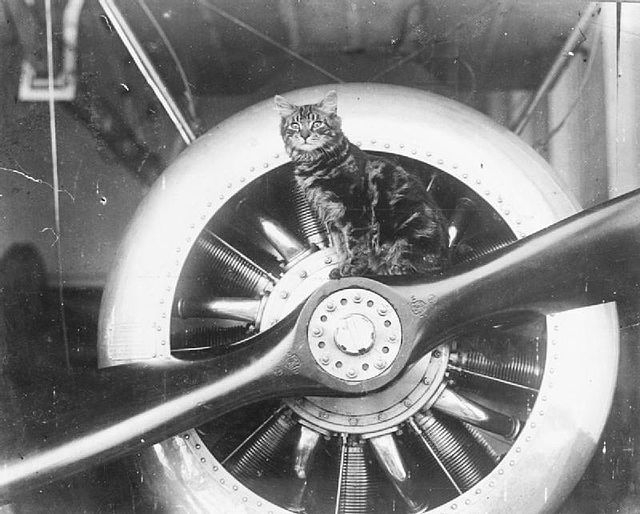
310	127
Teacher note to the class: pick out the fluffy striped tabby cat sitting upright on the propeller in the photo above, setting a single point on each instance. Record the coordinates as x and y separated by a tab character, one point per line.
381	219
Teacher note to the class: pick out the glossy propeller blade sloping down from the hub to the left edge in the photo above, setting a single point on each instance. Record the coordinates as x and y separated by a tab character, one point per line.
69	422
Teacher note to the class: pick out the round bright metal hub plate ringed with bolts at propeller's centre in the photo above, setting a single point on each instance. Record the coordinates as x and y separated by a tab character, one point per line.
354	334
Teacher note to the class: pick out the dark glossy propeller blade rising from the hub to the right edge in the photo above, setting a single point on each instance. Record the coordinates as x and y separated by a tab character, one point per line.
589	258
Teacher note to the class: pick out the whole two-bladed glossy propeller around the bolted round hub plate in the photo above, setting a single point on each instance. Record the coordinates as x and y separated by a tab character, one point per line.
72	421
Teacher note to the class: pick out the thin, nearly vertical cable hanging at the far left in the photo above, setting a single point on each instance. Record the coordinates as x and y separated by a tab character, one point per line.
56	182
